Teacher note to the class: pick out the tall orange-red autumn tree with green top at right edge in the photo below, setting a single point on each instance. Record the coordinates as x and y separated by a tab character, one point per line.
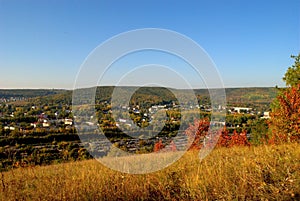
285	115
